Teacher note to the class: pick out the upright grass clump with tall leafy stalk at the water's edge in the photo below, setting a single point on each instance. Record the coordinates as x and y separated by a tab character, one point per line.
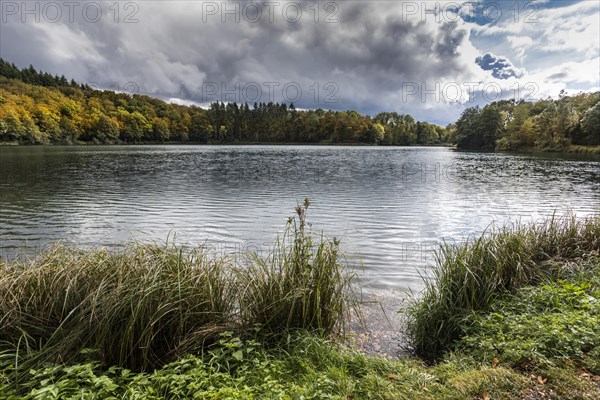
302	284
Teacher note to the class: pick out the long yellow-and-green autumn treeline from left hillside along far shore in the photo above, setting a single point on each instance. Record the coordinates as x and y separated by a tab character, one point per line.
37	108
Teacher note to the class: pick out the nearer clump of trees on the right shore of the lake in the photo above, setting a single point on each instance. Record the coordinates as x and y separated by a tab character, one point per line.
544	125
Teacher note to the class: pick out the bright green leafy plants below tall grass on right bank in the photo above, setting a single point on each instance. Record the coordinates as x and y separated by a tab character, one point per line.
539	325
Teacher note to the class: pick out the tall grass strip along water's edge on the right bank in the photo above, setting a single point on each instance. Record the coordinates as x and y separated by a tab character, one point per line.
469	277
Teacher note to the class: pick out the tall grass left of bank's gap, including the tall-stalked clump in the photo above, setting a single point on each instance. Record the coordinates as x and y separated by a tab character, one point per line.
148	304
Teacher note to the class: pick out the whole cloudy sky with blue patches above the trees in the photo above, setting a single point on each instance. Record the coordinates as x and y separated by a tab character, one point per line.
430	59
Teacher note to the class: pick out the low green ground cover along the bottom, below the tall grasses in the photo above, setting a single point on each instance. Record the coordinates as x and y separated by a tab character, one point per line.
532	352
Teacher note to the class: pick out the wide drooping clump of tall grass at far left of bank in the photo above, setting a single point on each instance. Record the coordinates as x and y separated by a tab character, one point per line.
138	308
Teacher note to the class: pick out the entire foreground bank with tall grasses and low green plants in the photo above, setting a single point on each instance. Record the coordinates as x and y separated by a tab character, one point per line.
512	314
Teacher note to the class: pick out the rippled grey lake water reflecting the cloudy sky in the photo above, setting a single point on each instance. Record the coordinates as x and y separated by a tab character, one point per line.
391	207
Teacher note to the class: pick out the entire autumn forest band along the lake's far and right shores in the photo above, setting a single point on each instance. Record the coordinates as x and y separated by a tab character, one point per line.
38	108
